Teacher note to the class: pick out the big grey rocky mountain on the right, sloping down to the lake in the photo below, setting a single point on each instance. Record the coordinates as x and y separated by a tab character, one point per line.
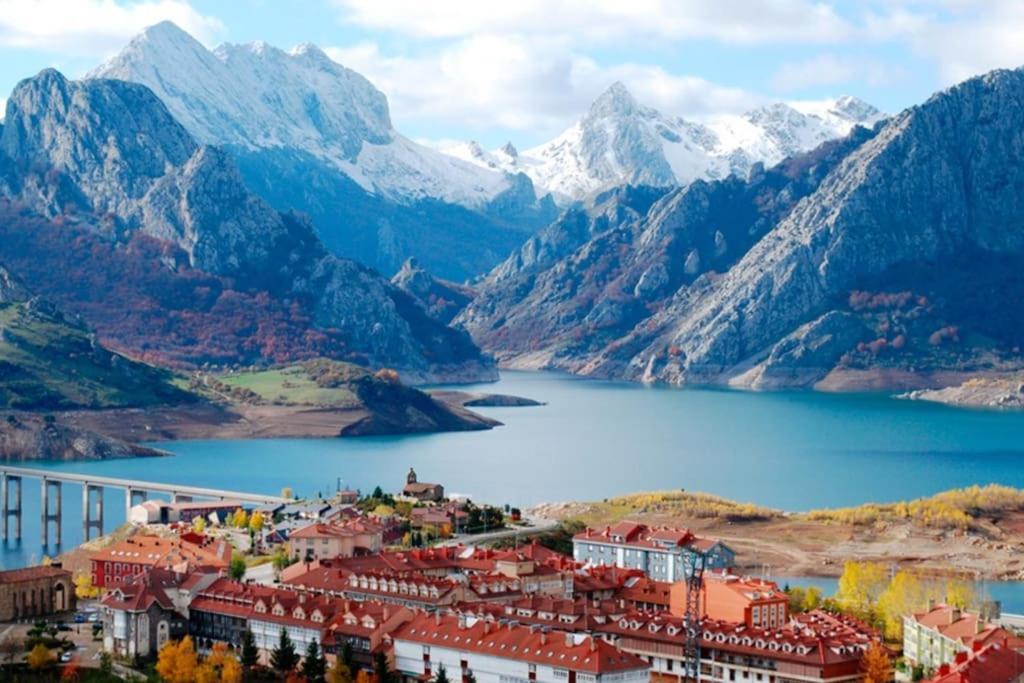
889	259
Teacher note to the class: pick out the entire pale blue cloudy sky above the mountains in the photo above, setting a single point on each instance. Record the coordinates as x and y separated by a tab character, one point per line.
524	71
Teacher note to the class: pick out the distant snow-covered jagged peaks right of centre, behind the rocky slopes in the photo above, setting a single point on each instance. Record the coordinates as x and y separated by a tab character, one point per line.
621	142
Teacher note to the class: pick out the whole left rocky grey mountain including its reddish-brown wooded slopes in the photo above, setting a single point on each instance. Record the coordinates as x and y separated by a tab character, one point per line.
106	165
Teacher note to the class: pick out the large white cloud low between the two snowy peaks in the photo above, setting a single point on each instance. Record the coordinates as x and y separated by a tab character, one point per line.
515	82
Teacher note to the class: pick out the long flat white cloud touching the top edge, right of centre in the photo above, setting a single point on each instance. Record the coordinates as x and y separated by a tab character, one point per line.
729	21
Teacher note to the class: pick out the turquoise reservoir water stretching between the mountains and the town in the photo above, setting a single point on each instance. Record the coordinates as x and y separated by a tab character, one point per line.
594	440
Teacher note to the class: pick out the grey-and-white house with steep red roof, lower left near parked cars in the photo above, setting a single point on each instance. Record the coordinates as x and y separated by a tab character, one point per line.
146	611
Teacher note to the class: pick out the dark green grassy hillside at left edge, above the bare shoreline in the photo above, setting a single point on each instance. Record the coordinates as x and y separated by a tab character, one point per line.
48	363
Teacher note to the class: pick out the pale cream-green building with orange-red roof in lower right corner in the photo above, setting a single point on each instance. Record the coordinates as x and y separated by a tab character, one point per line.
937	635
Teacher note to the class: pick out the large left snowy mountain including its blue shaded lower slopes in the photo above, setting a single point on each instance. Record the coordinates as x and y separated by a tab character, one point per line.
312	136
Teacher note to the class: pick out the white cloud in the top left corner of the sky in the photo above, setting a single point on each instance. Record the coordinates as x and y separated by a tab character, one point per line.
94	28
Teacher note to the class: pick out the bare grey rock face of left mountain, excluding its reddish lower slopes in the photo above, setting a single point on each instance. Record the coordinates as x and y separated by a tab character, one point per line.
108	155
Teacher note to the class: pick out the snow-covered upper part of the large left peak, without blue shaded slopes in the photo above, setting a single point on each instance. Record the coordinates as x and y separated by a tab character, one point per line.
258	97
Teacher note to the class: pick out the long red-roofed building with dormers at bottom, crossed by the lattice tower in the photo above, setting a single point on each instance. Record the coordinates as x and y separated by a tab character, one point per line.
817	648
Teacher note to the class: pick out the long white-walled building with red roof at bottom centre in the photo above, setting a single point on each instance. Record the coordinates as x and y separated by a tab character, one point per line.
497	653
